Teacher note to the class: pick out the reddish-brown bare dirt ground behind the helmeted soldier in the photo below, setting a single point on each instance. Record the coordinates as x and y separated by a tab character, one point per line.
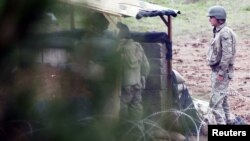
189	58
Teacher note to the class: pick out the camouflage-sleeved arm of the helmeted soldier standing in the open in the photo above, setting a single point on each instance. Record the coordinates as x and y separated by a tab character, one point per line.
227	52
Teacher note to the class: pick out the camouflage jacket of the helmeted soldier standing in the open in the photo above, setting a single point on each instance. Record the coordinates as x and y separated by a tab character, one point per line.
221	53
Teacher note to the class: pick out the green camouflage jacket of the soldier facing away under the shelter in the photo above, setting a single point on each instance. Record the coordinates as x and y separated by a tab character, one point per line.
135	64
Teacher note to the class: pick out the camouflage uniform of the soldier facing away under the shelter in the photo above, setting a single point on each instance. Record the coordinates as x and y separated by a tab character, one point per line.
135	68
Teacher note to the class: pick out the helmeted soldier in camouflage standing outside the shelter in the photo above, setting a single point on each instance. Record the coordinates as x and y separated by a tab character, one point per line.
220	57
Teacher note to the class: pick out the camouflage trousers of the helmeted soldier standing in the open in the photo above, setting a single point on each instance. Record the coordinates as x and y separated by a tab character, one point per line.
218	100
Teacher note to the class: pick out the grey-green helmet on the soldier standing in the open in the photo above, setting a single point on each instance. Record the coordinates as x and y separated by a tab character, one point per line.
218	12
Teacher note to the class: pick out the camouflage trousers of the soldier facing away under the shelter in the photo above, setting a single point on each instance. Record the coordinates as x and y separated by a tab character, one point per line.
131	103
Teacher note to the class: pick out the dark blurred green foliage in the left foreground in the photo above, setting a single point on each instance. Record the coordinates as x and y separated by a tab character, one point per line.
66	102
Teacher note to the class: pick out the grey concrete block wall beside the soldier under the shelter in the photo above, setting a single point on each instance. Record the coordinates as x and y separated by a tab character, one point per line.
156	81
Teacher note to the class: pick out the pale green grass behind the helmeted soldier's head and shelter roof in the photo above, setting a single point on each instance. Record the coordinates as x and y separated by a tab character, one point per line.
193	20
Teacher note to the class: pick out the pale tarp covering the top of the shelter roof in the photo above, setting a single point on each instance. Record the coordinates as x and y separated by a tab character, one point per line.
125	8
